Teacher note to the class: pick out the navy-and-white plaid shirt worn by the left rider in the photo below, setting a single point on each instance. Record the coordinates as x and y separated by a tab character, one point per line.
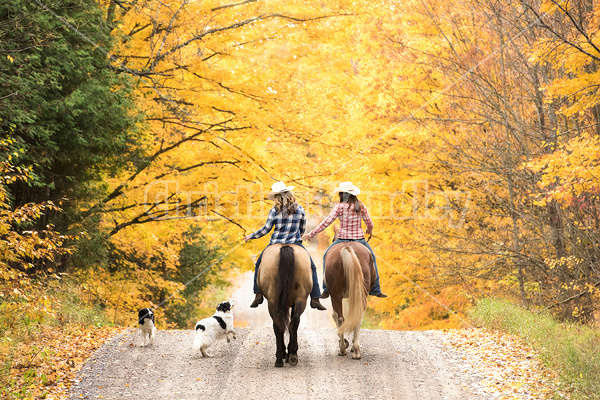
287	230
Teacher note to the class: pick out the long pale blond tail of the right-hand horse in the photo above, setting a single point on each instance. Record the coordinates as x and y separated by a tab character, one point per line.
357	294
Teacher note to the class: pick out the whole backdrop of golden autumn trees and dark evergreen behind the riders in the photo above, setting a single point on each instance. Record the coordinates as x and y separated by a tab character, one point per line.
139	138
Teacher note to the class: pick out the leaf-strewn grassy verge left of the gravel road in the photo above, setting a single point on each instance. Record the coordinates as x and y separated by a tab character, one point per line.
40	321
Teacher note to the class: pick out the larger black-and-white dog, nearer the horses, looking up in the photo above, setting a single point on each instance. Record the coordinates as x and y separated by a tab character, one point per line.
211	329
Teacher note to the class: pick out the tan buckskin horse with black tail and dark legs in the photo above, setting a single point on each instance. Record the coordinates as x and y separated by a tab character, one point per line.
285	280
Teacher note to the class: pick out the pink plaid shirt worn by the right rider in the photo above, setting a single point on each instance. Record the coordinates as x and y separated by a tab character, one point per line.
350	226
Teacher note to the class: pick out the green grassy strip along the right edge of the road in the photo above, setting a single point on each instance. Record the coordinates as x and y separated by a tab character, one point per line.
571	349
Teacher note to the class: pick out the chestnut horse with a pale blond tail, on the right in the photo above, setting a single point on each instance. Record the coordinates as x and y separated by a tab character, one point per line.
349	273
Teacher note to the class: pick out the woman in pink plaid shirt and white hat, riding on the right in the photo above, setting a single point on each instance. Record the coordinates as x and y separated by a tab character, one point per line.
351	213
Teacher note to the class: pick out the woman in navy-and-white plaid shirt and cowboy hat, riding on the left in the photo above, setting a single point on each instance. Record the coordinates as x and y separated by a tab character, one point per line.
289	220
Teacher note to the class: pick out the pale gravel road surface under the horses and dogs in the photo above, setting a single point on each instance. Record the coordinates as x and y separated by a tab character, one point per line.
395	364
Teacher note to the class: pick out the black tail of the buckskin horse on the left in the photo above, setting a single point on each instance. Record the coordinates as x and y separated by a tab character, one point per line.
285	284
